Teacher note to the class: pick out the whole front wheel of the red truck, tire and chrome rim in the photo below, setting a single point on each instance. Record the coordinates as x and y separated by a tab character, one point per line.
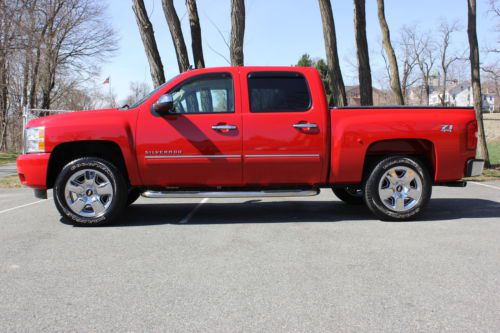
90	191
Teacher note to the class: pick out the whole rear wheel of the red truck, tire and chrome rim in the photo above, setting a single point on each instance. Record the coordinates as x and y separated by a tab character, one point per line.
398	189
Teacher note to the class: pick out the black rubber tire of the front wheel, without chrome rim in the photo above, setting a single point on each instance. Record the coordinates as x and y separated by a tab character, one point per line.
119	191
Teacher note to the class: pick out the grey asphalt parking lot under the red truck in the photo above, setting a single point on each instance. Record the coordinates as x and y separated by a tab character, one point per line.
305	264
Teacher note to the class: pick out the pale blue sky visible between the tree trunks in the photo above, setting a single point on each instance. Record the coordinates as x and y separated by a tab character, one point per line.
277	32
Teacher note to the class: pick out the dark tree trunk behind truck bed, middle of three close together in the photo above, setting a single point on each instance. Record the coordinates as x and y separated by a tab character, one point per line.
364	71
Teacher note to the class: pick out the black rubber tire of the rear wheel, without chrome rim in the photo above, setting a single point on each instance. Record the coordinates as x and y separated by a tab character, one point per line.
372	194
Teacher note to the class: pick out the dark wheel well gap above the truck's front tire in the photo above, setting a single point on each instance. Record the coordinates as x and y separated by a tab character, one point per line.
67	152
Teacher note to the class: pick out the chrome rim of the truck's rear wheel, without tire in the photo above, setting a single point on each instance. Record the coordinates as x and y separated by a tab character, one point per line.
400	189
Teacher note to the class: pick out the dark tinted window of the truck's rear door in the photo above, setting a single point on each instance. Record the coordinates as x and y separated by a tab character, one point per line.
278	92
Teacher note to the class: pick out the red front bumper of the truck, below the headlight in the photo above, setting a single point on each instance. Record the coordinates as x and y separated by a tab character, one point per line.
32	170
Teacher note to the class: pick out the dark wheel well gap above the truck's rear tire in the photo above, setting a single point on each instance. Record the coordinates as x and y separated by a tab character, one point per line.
421	149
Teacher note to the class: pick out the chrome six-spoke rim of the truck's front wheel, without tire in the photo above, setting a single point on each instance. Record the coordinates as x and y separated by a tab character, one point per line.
89	193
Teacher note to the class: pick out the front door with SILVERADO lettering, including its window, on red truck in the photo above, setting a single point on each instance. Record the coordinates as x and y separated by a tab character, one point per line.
199	144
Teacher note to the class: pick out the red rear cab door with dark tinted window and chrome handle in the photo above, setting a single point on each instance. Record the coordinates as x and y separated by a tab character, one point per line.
284	130
